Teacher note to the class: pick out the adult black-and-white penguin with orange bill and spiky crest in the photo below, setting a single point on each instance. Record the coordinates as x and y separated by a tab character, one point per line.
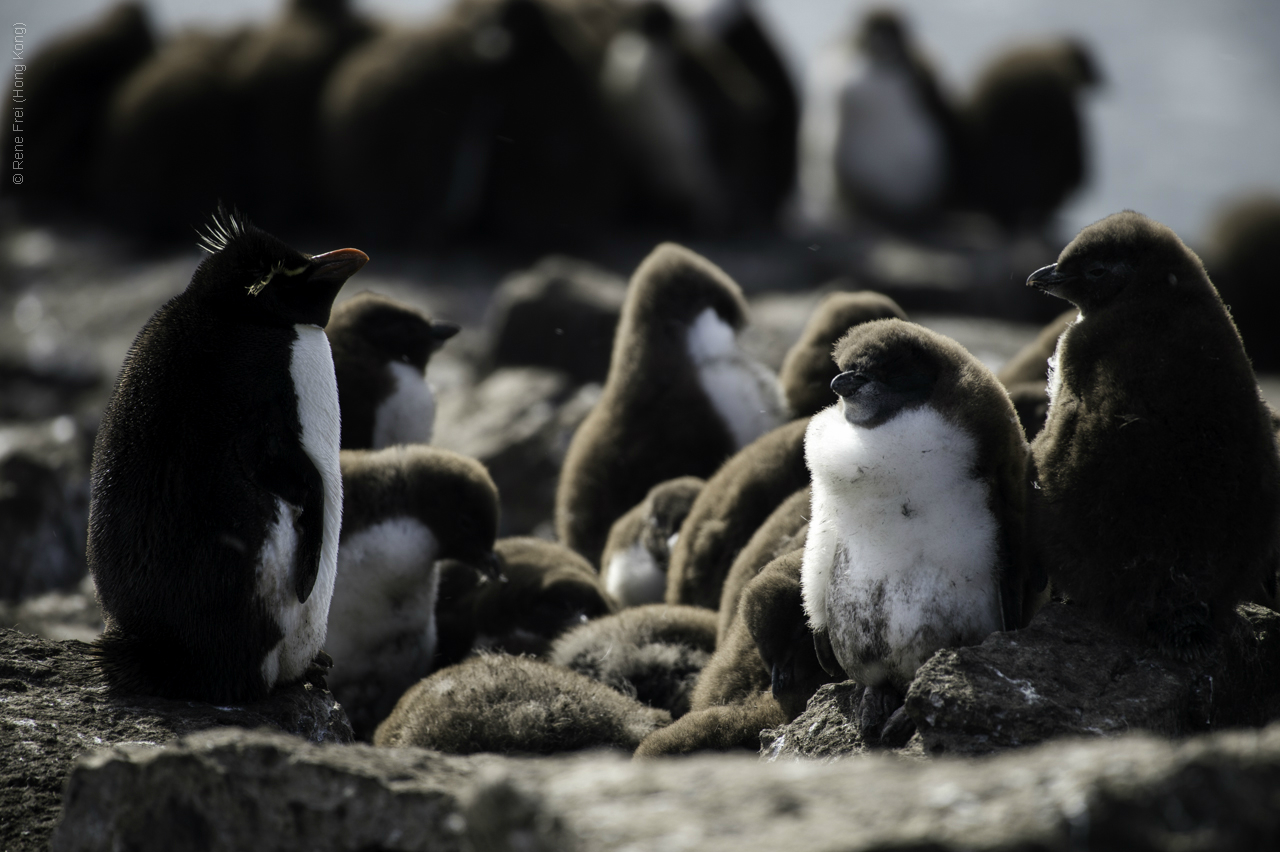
217	494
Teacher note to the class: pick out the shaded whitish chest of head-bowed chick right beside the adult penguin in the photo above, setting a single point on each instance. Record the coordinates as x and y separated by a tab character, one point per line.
383	615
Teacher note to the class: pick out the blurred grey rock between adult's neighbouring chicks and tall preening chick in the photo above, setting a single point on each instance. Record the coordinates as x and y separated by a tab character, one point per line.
518	422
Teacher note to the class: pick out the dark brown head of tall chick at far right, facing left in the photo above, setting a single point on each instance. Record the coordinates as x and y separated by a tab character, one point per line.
1126	256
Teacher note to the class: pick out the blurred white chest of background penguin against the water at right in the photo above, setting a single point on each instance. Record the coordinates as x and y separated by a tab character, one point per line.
889	148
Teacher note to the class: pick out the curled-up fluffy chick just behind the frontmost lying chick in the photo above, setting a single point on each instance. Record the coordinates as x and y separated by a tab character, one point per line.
653	653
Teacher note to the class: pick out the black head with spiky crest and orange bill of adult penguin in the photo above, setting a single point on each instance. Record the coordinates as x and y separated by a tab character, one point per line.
252	277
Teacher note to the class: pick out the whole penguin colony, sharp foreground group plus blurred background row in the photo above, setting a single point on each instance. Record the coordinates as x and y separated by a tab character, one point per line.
266	507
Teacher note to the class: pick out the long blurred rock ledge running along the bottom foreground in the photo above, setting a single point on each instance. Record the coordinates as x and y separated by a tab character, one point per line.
234	790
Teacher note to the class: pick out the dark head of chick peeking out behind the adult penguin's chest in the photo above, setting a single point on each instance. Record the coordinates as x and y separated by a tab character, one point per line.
387	329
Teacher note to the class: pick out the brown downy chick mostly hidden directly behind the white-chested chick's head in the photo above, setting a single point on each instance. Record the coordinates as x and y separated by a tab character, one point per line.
808	369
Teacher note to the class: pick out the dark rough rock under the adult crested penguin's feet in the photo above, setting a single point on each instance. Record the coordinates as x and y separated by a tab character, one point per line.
54	708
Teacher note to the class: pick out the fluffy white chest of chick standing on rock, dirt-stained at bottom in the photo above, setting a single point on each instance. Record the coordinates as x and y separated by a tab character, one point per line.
902	556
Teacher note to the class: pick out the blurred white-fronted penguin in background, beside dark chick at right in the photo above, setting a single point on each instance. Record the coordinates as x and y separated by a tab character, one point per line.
879	136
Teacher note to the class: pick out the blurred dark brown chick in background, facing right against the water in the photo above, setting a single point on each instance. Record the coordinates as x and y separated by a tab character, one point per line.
1027	146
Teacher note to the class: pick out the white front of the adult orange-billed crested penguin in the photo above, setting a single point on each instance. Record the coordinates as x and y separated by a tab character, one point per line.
304	624
